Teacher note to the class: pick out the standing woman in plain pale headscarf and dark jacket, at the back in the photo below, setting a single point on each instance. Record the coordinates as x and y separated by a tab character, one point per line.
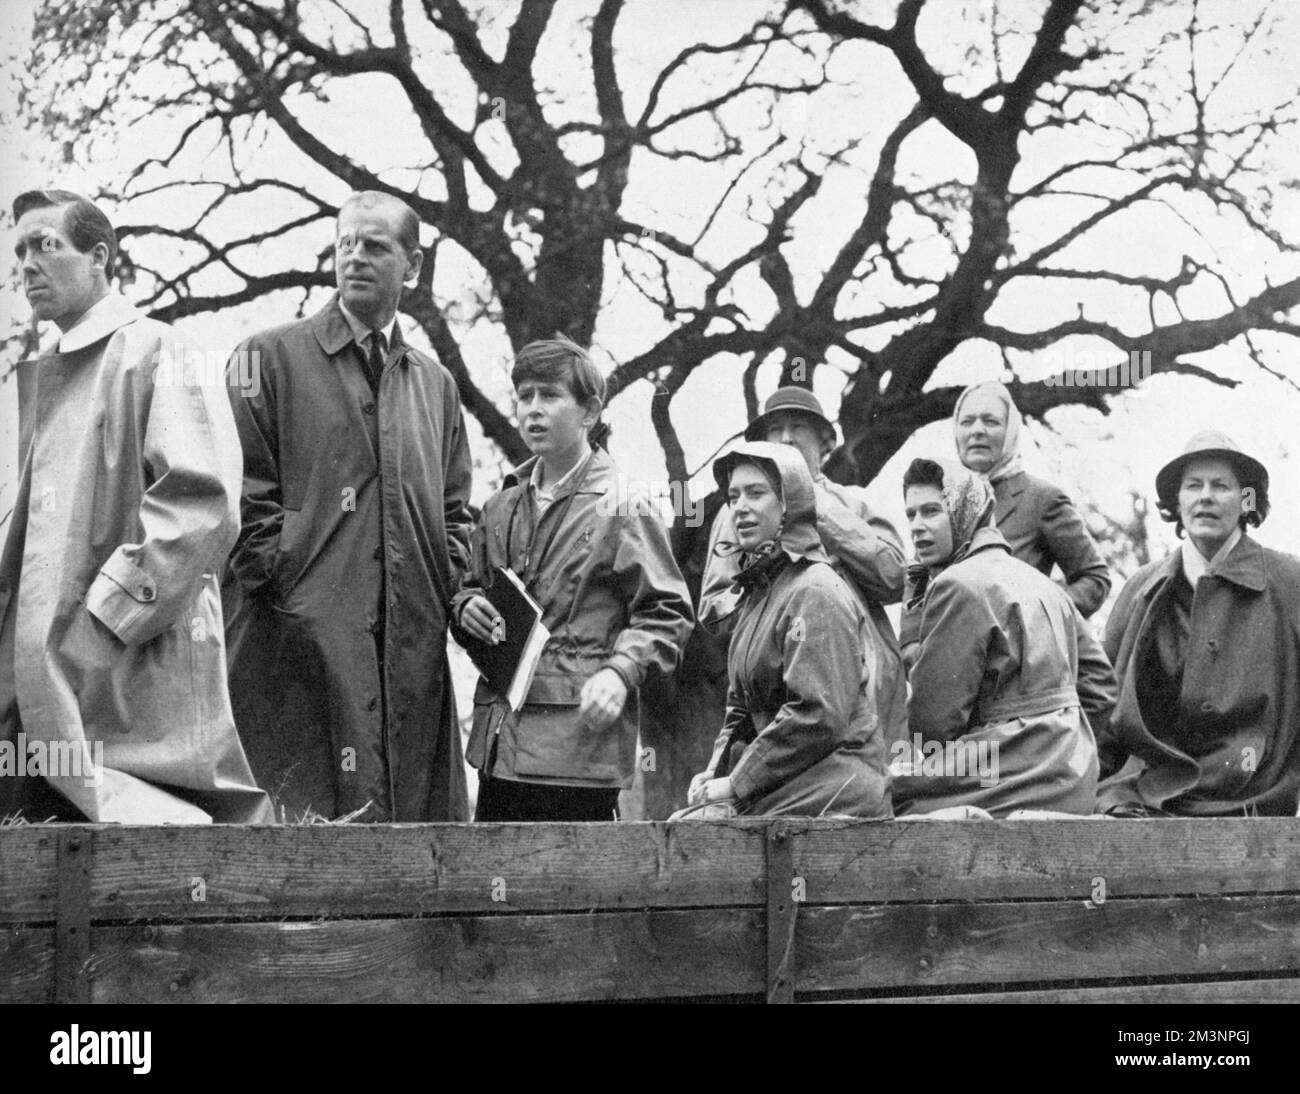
1037	519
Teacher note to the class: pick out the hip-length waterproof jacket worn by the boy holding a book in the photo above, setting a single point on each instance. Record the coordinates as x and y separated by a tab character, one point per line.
612	597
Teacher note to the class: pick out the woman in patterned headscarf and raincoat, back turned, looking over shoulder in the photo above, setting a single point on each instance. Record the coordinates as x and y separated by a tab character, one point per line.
1008	683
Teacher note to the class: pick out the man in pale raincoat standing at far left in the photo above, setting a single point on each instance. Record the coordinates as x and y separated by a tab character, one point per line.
114	701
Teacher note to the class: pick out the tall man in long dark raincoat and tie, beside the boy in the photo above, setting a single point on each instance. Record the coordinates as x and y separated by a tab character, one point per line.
356	535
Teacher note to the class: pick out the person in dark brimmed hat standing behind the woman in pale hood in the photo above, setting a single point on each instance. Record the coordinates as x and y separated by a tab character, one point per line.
864	548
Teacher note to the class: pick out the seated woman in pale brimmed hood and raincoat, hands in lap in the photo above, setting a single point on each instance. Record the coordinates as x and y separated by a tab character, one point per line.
800	735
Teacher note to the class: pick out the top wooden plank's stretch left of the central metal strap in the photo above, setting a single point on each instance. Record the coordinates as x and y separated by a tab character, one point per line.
392	870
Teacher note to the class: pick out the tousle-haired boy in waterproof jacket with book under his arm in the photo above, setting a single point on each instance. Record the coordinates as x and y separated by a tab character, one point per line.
613	598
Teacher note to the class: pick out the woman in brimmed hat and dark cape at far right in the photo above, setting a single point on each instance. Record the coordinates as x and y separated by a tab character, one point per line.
1207	646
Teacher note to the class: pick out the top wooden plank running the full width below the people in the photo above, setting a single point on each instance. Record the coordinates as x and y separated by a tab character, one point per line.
427	870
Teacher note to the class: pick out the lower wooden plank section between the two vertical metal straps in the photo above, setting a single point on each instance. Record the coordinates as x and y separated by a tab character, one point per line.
554	958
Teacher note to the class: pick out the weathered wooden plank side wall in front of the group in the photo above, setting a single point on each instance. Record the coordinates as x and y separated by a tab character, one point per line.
1158	911
